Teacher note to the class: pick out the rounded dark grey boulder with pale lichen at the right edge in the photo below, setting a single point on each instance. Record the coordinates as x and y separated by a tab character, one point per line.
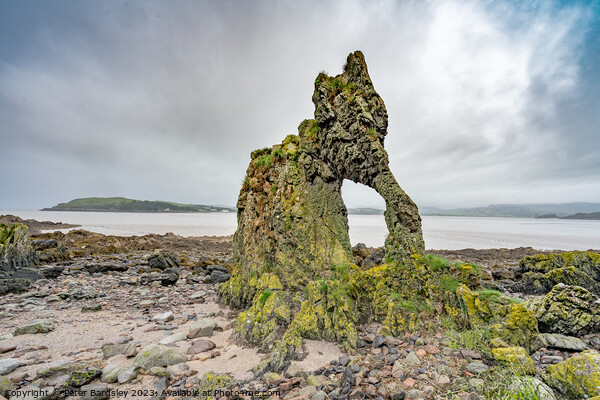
568	310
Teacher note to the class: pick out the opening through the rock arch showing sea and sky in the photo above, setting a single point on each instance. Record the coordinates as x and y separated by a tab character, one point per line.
366	222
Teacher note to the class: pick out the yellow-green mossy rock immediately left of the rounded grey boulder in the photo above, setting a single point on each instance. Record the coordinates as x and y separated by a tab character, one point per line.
518	327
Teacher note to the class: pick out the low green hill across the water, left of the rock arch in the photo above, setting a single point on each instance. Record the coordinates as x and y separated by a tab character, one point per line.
122	204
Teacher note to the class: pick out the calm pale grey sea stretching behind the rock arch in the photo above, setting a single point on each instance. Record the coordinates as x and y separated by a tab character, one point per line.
439	232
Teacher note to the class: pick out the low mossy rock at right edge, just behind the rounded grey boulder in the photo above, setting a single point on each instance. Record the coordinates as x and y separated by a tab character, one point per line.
540	273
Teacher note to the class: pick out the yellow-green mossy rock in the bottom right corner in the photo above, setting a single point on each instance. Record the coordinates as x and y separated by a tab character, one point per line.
577	377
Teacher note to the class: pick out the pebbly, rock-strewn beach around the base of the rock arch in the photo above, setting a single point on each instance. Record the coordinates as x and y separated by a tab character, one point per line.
139	317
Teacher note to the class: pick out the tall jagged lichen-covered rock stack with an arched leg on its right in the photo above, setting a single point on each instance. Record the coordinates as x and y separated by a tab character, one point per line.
292	229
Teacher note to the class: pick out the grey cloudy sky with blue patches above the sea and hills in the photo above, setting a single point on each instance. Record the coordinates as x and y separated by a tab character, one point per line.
489	101
